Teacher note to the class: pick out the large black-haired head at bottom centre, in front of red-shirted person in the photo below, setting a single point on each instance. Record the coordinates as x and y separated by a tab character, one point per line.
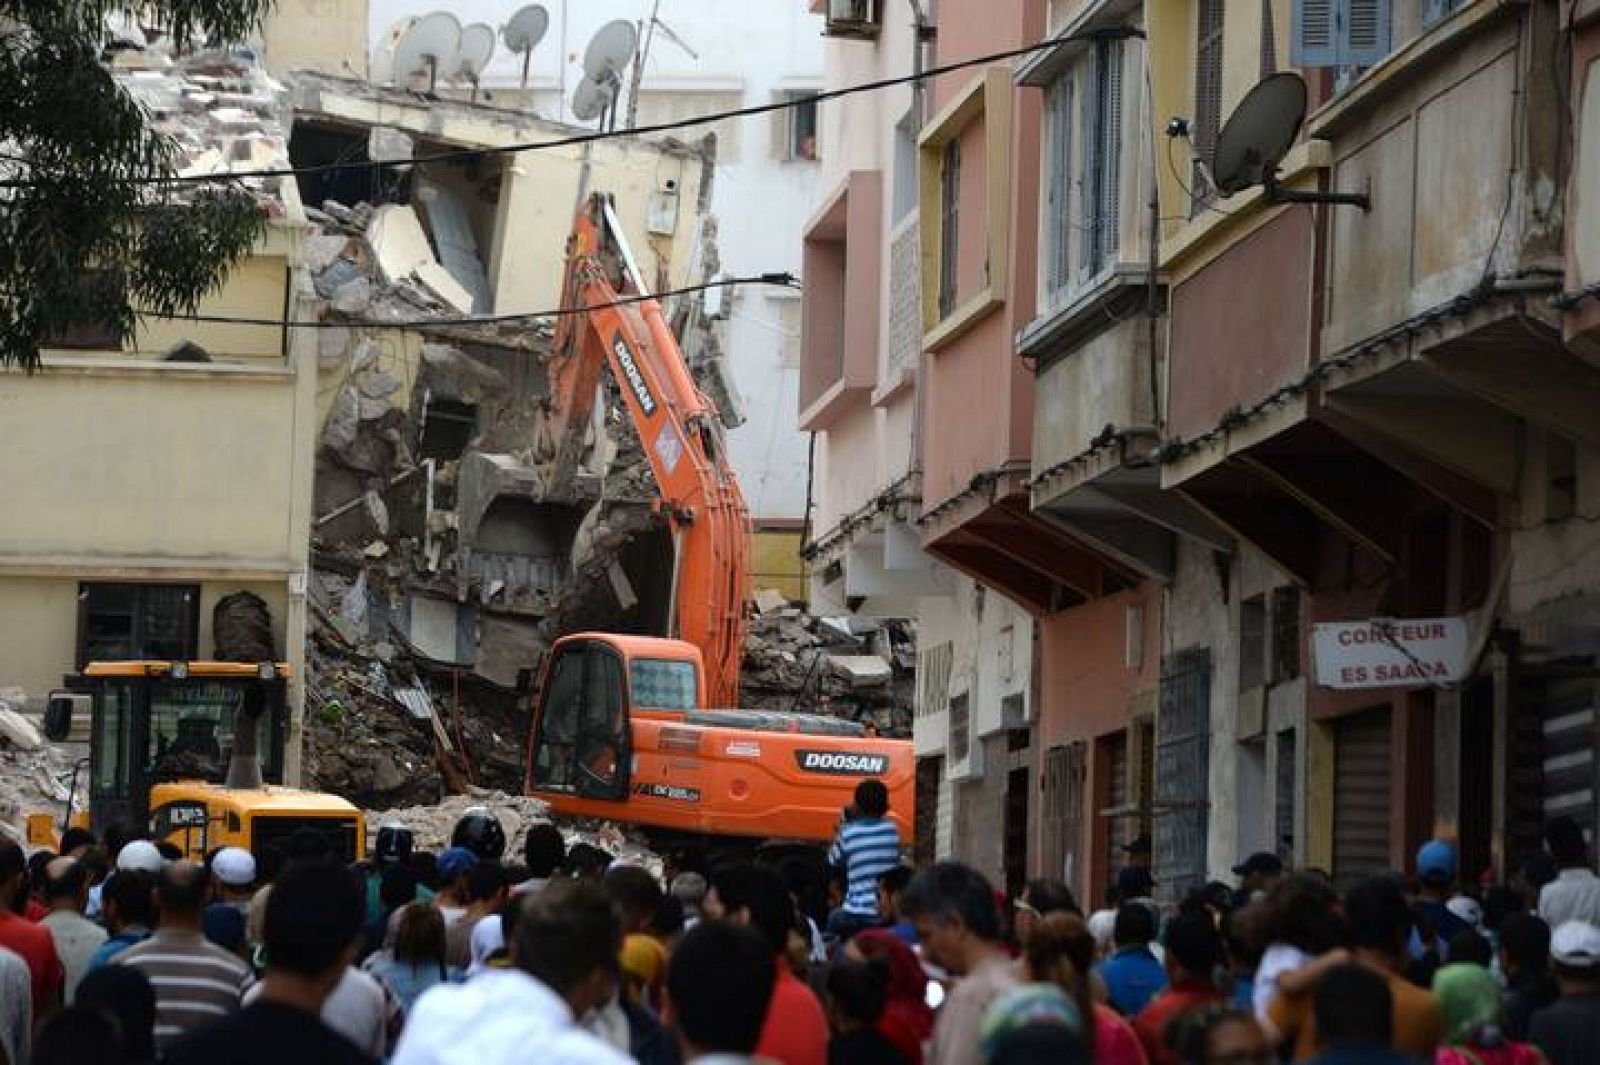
721	981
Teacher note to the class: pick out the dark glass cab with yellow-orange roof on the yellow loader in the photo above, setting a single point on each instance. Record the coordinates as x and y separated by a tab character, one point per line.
175	722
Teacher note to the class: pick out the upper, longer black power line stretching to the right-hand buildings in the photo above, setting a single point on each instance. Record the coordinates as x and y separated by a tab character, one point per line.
609	135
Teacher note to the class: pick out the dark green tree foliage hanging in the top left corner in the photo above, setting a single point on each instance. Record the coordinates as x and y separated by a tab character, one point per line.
86	234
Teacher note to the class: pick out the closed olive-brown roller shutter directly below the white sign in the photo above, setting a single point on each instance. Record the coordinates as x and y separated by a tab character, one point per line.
1361	797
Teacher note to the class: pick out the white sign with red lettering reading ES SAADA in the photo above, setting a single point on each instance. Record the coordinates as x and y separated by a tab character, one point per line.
1386	653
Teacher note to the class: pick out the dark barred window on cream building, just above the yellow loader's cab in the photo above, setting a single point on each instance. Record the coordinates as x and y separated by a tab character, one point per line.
138	621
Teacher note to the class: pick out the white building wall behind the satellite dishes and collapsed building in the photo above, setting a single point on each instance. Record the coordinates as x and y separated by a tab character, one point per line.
746	54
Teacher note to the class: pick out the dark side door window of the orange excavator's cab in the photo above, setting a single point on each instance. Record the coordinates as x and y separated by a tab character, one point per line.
583	743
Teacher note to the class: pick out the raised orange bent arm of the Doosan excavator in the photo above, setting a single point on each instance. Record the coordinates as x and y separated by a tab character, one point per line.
679	428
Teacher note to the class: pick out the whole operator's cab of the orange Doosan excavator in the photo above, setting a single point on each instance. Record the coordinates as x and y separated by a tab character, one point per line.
593	685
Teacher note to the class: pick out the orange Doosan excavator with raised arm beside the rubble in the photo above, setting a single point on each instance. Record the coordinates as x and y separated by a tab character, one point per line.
642	730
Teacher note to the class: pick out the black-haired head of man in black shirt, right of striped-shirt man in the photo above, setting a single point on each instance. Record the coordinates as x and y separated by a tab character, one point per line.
314	915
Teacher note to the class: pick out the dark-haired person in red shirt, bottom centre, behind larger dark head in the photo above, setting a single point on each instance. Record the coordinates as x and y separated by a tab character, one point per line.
796	1027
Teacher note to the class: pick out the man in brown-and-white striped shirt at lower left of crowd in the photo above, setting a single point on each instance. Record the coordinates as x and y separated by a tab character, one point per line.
196	981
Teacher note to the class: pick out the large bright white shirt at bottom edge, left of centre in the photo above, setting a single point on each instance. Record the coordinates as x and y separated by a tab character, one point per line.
502	1018
